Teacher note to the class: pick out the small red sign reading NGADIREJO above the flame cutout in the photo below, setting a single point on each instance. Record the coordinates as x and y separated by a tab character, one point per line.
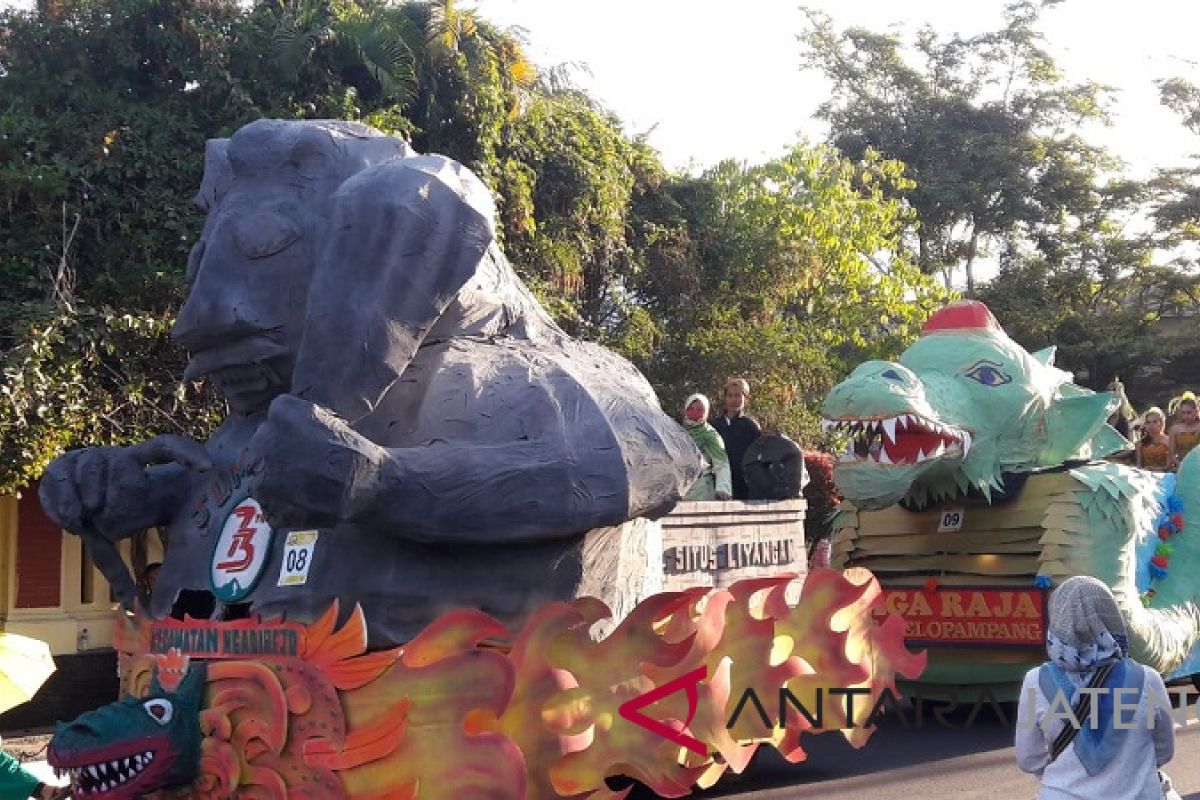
239	640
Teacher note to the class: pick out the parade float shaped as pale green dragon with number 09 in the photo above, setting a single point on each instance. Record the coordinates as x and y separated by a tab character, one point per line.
974	485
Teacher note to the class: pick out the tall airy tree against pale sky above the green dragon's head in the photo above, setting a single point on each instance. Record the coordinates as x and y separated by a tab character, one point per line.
986	127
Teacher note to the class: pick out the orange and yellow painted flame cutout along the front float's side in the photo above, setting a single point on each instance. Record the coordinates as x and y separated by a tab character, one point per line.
469	709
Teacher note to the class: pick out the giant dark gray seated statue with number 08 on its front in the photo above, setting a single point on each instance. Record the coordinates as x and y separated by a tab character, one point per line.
392	386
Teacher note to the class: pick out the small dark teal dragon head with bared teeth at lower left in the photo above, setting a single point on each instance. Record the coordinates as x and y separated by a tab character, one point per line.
137	745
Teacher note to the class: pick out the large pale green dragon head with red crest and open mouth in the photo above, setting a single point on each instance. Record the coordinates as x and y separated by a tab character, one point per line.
964	406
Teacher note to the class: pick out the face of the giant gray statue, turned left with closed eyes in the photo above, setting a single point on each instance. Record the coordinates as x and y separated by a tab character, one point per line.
269	193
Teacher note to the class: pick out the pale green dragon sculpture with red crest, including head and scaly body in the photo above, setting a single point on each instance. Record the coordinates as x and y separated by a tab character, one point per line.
967	411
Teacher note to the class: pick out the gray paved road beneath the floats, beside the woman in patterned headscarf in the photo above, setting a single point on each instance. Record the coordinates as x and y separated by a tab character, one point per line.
925	762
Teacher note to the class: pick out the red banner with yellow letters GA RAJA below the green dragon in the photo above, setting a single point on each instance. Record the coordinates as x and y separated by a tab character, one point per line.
969	616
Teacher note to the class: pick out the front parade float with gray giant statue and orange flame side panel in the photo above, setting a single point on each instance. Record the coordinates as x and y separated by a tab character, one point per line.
400	521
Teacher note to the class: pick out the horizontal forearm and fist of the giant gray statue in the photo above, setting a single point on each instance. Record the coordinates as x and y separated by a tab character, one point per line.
428	494
